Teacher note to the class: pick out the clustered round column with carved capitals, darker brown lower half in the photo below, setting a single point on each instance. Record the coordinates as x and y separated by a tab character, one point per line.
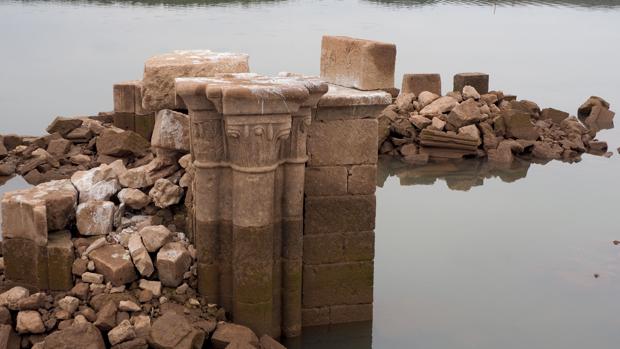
248	144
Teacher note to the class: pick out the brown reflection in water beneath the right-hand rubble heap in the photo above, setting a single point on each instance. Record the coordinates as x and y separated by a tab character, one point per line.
459	174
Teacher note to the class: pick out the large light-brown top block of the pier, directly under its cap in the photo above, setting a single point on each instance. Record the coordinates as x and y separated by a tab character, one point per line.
343	142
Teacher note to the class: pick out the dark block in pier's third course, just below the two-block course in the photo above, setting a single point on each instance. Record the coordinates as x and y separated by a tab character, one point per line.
339	214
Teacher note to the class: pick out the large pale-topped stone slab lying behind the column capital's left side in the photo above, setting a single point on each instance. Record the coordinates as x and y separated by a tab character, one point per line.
160	72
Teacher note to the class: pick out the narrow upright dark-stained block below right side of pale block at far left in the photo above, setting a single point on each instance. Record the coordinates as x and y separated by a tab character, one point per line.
60	259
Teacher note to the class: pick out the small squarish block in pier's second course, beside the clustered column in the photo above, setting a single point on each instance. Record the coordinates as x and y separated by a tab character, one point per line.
326	180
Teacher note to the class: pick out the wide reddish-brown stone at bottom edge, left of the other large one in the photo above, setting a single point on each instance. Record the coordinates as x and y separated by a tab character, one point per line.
84	336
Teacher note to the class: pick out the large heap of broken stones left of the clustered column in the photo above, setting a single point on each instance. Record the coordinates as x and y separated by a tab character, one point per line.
112	230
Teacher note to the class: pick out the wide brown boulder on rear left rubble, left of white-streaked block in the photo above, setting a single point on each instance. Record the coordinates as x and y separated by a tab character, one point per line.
119	144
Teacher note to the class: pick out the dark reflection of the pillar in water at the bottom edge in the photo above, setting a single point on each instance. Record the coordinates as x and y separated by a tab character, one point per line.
356	335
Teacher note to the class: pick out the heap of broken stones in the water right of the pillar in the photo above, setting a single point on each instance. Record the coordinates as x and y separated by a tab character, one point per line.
475	123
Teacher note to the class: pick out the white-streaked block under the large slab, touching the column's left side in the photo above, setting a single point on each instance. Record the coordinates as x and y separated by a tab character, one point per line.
171	131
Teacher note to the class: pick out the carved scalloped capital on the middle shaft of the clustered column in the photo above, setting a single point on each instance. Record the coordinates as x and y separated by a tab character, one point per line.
254	143
